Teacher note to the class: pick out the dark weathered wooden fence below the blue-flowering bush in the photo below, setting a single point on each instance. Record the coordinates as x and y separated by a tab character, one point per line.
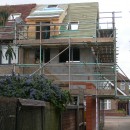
26	114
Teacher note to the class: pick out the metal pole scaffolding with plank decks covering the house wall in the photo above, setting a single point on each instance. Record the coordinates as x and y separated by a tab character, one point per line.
67	62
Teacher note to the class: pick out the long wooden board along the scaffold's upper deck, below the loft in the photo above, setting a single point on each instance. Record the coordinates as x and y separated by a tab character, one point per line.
73	41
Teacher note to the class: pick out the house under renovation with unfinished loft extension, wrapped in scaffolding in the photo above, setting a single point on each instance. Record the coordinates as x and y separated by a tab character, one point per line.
68	44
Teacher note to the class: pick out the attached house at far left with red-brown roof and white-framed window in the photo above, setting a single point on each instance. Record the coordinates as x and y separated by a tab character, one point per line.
7	35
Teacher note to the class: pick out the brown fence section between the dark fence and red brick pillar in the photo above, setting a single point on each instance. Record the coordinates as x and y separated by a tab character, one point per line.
73	118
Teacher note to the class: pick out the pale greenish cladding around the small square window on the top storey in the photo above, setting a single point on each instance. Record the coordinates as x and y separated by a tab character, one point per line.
84	13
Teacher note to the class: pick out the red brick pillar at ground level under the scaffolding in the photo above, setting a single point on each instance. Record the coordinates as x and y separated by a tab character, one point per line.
90	113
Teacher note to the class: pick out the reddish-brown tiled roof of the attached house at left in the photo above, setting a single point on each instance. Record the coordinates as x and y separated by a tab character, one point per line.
25	10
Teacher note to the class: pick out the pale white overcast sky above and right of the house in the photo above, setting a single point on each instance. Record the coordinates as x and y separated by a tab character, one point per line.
122	23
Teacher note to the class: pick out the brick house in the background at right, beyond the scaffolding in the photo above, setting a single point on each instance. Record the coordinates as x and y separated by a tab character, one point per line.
120	106
